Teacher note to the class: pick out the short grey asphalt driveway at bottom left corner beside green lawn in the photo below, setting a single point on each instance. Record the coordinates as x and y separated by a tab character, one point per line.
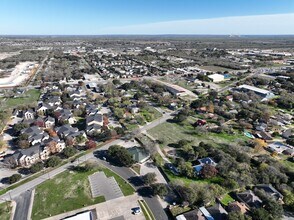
22	205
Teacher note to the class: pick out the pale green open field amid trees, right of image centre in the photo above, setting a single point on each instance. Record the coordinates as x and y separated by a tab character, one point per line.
171	133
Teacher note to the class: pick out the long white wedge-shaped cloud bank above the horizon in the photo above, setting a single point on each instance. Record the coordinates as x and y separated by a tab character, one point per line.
279	24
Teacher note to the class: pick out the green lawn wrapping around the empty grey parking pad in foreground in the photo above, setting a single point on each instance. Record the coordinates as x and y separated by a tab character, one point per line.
68	191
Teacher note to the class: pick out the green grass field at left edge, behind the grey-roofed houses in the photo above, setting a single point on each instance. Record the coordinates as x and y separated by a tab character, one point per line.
29	97
